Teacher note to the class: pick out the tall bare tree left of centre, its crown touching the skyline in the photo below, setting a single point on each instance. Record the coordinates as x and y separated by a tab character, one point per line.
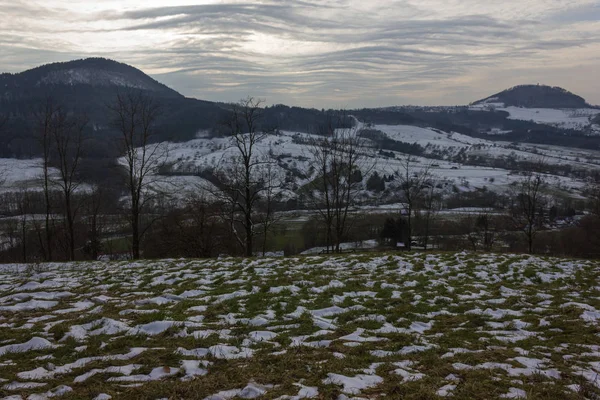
241	181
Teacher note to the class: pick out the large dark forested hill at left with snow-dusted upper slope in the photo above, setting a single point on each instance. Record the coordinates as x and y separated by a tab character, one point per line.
89	86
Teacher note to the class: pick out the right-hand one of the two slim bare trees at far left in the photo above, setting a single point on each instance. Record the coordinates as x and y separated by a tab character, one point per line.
67	136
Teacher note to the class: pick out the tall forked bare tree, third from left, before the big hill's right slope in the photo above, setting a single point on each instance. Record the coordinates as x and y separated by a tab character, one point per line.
135	116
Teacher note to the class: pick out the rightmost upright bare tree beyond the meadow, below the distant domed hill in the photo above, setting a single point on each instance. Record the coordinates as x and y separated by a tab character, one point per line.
529	201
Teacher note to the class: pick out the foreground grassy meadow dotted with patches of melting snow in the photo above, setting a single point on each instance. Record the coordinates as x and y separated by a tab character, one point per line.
415	326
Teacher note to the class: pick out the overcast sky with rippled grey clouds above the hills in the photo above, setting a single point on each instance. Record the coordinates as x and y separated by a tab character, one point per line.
319	53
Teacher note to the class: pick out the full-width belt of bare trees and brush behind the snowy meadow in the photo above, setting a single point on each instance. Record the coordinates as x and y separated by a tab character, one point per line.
239	208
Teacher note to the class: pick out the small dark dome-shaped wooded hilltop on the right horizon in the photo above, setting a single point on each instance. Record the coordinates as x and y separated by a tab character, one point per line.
536	96
